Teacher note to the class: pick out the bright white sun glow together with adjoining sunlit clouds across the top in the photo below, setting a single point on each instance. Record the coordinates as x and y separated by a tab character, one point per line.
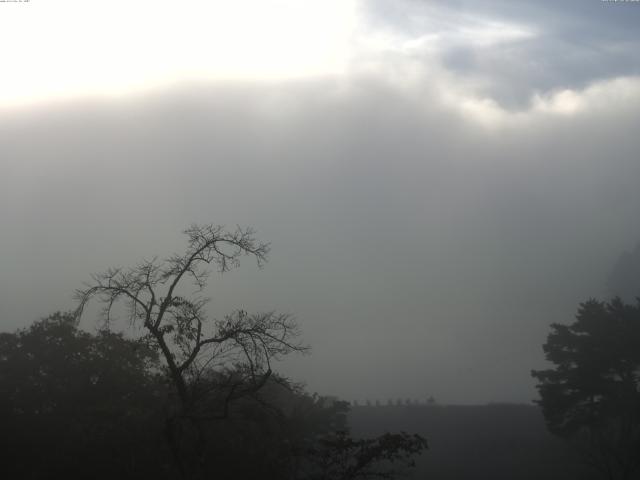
78	48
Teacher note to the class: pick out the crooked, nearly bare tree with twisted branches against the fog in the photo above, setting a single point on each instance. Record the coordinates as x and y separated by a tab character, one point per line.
210	363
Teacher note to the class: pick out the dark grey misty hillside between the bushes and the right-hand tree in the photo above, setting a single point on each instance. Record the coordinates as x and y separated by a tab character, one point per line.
476	442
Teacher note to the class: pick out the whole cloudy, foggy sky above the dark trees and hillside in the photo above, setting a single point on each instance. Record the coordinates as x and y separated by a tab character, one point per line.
439	181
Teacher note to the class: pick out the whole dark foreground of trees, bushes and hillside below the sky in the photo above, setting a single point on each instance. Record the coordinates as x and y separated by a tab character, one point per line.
179	395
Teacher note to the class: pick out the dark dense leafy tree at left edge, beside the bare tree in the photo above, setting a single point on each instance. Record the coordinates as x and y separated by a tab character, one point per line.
77	405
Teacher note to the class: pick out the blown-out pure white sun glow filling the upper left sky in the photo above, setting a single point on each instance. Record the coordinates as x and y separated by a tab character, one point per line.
77	47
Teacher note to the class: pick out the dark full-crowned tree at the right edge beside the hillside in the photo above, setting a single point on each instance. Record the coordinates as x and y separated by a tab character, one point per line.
591	395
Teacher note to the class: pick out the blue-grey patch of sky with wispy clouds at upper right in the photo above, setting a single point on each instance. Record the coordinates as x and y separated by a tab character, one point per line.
509	52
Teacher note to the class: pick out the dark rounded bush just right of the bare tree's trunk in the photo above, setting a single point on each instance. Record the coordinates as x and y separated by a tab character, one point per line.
271	435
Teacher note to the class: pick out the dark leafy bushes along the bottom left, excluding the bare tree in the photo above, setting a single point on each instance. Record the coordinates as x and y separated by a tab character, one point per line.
77	405
